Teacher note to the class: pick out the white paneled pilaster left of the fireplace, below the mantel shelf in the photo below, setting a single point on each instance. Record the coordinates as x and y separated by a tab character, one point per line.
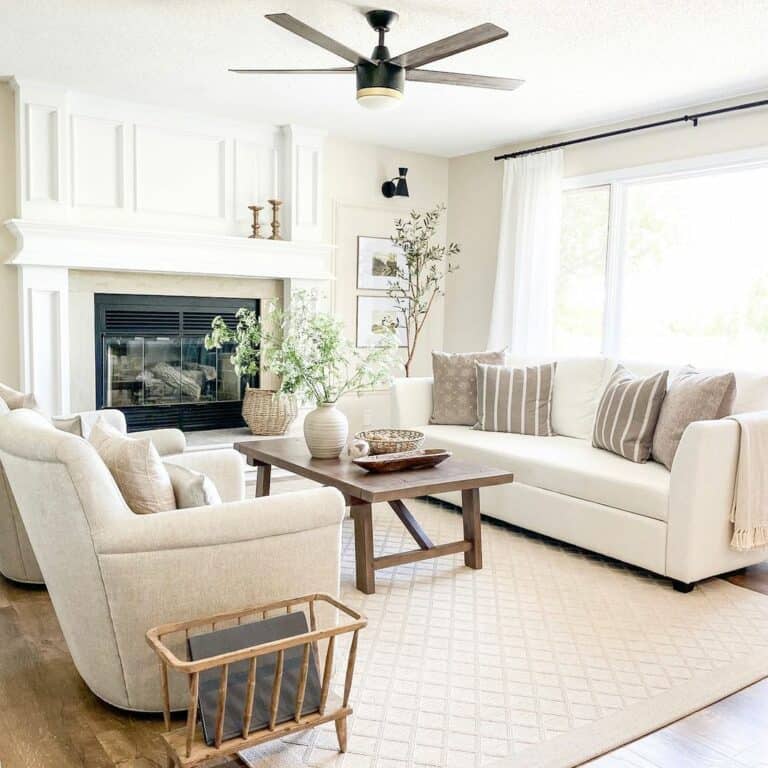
44	326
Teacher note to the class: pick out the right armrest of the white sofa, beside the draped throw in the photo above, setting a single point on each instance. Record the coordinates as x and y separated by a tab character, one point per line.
701	489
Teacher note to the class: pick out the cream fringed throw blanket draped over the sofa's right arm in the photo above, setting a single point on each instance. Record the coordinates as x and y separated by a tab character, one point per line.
749	513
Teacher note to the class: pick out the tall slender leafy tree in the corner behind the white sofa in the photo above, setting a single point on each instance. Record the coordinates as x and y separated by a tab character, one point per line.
415	286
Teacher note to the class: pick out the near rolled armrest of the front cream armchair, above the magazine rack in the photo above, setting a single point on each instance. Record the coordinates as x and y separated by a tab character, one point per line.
223	524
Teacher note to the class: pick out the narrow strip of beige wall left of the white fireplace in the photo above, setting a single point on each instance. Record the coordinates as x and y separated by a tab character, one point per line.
9	354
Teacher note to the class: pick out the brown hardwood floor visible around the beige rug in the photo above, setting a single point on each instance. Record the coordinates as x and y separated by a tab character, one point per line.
49	719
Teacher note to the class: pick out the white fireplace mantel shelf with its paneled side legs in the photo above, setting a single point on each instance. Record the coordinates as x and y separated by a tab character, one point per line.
47	251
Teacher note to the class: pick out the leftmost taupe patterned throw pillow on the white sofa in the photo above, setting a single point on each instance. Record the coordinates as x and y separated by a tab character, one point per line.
454	389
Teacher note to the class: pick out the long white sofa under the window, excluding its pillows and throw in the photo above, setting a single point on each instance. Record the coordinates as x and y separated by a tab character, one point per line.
672	523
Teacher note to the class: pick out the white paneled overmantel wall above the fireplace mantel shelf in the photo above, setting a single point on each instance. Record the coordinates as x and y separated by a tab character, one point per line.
90	160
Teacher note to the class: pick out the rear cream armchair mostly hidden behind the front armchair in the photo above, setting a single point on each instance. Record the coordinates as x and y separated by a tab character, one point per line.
17	560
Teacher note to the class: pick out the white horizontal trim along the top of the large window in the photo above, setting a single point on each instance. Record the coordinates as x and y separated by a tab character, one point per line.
689	166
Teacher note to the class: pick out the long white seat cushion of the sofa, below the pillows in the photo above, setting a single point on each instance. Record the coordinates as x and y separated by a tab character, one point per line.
564	465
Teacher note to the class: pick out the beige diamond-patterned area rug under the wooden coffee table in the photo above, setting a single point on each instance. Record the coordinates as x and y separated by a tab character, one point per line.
547	657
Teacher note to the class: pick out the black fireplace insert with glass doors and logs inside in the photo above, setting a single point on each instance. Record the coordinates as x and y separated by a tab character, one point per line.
152	364
